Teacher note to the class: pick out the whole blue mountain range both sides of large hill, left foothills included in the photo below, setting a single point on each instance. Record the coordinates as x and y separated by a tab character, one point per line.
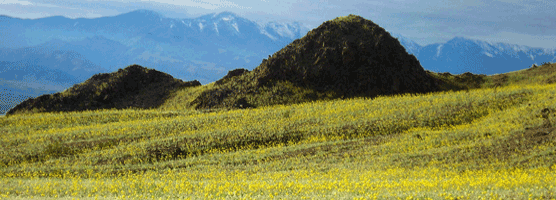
68	51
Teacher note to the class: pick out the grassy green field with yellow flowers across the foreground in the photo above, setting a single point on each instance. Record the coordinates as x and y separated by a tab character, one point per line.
495	141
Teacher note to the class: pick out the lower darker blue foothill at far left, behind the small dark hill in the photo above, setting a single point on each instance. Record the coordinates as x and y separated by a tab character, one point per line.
34	71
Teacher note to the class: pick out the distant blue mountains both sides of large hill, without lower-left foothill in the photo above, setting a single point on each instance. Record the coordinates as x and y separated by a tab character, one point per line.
206	47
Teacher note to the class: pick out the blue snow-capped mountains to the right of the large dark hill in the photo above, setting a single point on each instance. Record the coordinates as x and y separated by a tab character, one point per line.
460	55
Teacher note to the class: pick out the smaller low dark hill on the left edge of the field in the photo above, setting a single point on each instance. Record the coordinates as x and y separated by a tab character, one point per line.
132	87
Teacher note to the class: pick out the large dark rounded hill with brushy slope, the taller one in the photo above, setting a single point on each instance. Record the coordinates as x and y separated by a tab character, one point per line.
345	57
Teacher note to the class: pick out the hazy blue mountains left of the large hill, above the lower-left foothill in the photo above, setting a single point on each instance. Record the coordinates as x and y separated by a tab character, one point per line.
202	48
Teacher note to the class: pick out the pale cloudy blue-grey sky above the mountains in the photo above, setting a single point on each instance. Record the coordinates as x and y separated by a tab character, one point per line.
524	22
